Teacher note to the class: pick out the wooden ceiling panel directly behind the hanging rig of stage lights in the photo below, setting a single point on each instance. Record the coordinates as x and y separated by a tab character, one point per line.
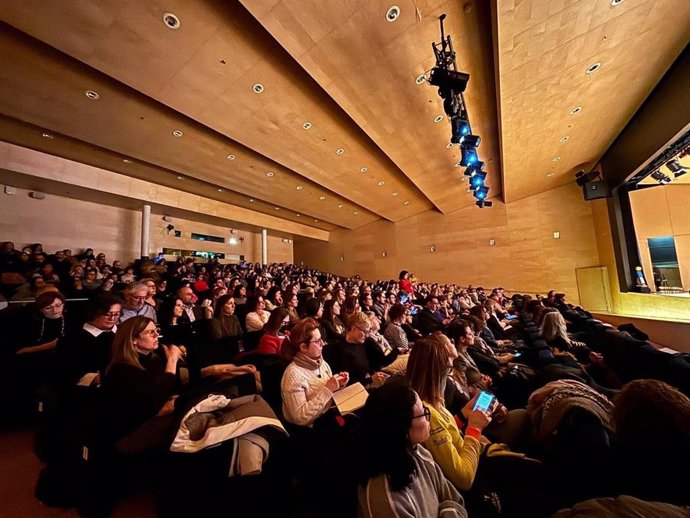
374	81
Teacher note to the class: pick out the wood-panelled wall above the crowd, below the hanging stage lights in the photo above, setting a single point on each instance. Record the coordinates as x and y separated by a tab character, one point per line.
525	257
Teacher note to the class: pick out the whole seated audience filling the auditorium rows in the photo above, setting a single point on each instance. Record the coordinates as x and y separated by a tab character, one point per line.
565	422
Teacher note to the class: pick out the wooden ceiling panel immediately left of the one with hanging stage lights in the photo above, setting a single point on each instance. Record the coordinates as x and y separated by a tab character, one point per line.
206	70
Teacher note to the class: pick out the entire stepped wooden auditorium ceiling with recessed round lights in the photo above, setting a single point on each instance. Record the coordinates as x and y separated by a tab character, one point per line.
311	110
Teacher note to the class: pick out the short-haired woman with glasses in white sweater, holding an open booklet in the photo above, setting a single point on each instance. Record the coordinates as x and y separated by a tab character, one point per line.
308	383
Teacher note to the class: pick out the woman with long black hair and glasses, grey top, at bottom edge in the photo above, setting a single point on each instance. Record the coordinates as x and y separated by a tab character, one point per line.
398	475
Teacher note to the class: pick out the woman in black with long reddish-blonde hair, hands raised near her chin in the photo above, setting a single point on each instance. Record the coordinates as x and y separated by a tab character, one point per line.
140	380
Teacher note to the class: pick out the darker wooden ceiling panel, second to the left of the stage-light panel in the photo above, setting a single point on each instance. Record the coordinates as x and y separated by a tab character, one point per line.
51	95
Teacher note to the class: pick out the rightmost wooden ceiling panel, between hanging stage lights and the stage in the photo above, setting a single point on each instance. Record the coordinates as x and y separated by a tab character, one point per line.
544	49
